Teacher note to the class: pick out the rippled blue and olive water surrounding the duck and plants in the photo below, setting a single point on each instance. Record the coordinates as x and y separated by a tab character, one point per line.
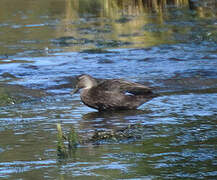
172	47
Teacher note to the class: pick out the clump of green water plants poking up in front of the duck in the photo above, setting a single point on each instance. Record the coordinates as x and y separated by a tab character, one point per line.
68	141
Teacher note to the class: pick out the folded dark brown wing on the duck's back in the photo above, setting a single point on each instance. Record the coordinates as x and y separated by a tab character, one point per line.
123	86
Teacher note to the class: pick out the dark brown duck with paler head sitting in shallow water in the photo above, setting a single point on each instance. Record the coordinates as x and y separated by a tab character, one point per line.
112	94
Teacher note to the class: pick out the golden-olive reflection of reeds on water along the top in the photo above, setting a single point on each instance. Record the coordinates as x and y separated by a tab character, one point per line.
70	25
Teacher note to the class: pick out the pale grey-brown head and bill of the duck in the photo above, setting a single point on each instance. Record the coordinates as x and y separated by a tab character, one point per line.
84	82
